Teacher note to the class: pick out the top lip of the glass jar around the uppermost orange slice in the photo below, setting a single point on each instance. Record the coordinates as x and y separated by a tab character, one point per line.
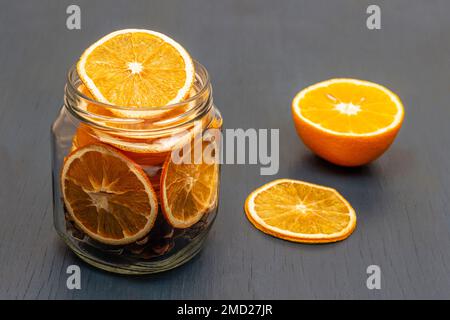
201	86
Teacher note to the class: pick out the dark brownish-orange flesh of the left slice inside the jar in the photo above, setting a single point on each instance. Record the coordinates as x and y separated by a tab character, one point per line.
105	196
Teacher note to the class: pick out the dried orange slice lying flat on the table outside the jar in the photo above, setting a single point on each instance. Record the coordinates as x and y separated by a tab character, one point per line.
300	212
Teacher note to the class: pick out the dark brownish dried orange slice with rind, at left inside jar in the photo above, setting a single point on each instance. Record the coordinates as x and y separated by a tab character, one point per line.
107	195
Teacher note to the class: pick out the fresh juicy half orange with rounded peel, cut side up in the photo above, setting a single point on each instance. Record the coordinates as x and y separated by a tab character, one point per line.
346	121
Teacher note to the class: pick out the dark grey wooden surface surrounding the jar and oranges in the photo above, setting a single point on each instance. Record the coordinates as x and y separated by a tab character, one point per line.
259	54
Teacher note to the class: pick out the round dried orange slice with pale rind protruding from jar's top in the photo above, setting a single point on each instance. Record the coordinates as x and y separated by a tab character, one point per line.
136	68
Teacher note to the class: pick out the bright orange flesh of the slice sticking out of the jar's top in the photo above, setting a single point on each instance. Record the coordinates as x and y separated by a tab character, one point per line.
156	84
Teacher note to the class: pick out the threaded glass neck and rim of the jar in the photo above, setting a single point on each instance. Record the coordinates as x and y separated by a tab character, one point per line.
140	120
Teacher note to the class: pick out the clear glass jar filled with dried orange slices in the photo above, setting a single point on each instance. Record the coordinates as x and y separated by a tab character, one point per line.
149	138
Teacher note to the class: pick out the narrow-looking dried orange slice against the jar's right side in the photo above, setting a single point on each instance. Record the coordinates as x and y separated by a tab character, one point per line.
188	190
